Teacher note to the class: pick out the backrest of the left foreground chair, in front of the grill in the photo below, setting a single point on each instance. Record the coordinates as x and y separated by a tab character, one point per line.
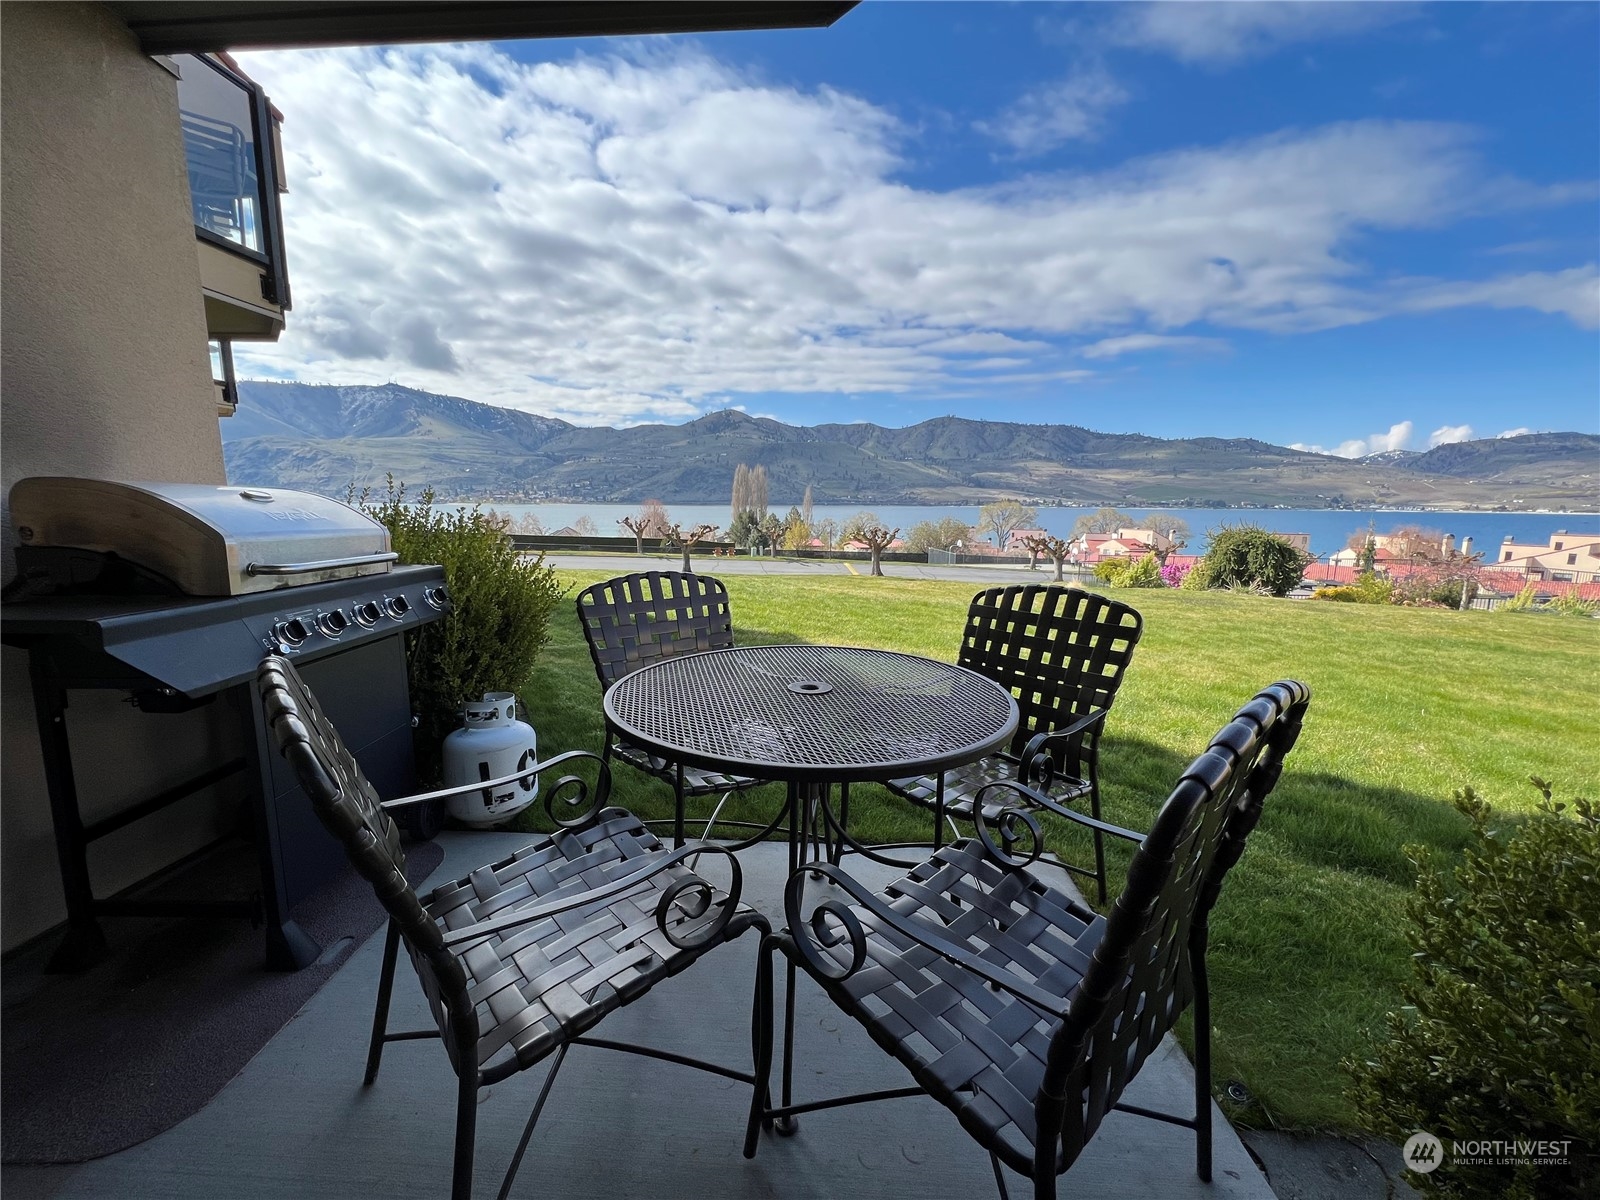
350	809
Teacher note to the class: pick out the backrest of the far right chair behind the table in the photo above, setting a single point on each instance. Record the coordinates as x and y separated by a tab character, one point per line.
1060	650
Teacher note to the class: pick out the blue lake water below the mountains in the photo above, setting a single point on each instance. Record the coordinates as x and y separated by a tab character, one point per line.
1329	530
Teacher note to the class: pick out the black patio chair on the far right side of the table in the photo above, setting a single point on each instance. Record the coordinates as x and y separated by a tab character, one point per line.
1062	652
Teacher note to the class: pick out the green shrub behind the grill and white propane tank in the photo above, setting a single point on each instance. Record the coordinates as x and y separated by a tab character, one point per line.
500	618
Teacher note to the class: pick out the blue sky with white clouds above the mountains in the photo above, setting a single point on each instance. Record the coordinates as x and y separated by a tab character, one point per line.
1342	226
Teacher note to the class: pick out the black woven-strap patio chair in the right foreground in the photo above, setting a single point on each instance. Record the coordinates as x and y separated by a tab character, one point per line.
1010	1002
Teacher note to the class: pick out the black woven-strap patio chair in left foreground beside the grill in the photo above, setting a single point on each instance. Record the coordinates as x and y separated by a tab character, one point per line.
524	956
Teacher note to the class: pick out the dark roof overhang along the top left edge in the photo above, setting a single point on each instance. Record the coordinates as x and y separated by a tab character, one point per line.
183	26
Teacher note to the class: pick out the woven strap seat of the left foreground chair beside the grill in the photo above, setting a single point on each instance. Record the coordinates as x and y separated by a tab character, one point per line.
542	985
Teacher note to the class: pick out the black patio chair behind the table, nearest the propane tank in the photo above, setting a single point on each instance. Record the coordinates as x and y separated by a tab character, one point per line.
636	620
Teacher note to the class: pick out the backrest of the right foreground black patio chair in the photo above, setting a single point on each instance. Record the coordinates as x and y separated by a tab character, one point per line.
1140	977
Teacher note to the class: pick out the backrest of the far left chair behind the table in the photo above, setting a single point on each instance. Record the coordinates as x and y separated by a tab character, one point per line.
638	620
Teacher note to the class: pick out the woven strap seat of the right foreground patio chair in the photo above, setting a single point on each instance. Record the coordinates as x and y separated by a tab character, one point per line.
974	1047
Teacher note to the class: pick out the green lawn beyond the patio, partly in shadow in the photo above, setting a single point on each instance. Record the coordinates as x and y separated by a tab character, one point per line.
1308	940
